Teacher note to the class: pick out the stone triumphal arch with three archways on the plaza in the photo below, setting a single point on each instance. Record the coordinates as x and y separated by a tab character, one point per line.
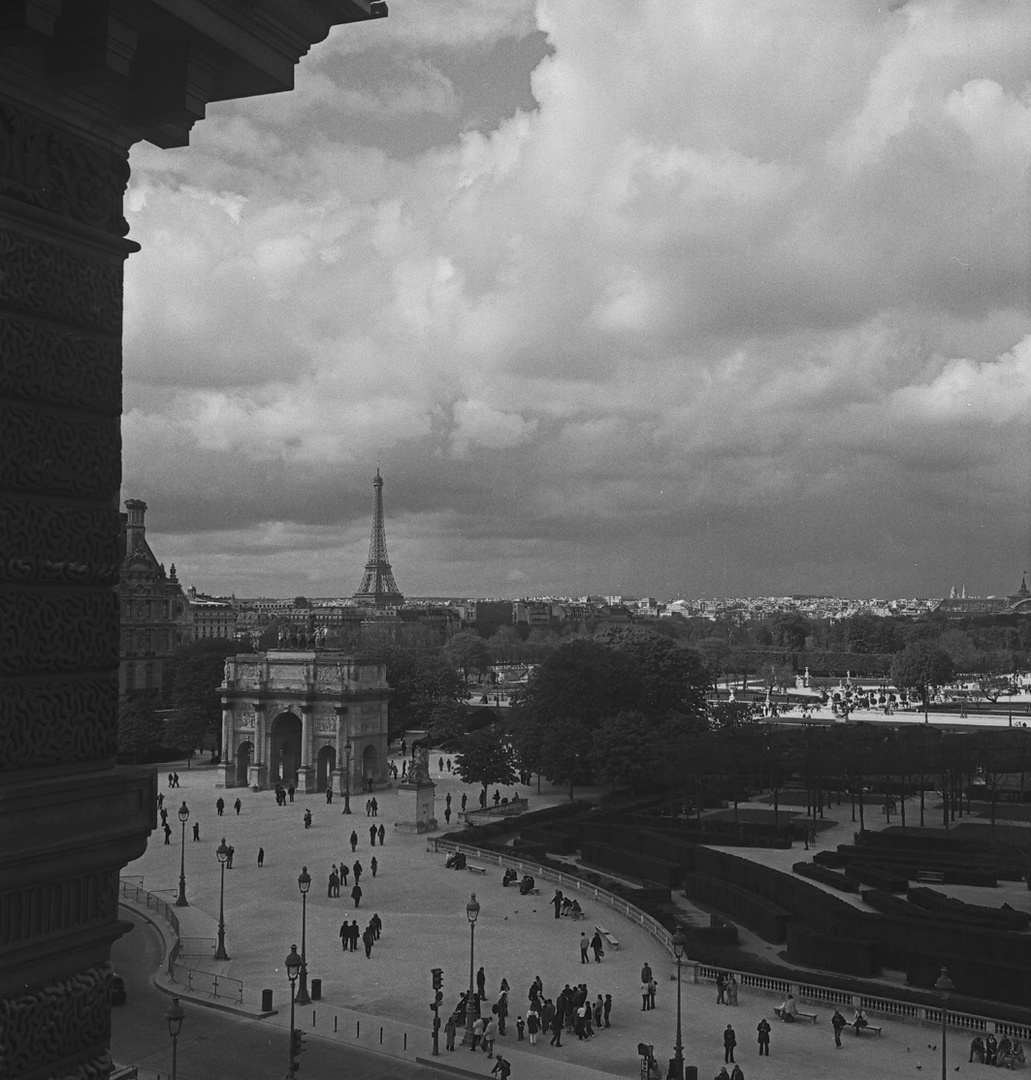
303	719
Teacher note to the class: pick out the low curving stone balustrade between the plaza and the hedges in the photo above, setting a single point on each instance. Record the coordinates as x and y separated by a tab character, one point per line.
804	991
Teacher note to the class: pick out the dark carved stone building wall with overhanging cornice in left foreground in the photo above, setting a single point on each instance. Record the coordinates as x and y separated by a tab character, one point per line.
80	83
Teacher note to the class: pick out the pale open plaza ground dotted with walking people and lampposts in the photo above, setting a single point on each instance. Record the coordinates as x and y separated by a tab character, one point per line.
423	908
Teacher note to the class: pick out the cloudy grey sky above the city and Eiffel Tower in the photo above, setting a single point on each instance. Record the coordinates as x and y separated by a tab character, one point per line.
623	296
